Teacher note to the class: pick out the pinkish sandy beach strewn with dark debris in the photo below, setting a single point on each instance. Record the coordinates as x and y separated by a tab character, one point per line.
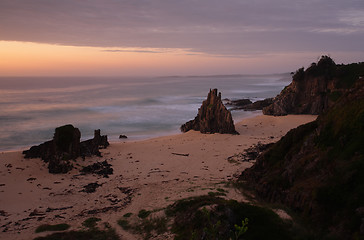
149	174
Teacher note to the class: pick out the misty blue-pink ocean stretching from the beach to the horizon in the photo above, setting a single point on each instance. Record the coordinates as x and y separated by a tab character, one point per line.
139	107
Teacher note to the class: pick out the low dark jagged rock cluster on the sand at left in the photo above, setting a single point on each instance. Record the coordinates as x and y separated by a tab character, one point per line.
66	146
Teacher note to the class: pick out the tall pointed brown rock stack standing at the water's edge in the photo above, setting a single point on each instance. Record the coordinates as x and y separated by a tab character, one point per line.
212	117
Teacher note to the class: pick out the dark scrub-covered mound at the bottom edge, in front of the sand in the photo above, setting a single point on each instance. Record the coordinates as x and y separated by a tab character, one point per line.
213	217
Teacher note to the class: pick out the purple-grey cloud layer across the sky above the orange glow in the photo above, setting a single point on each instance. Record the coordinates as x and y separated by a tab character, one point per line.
230	27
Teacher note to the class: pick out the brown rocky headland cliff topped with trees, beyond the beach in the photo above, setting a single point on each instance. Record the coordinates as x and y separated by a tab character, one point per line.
314	90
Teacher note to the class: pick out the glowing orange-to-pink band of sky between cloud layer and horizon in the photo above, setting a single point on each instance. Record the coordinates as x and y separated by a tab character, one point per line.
37	59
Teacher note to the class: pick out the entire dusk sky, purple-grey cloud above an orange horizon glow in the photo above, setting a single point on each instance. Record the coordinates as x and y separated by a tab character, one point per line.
175	37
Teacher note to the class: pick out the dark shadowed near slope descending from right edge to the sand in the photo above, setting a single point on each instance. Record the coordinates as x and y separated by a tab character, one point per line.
317	169
